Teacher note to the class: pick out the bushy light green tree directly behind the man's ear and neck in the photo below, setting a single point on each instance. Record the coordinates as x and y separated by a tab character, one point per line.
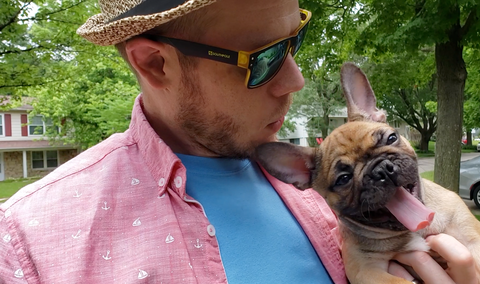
95	102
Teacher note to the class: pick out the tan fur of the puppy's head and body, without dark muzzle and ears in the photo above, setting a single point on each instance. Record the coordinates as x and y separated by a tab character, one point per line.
355	143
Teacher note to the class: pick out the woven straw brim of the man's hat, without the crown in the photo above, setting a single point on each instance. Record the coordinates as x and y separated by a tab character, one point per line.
99	31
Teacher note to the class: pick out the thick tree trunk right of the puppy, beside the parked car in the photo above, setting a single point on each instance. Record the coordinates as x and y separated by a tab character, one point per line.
451	73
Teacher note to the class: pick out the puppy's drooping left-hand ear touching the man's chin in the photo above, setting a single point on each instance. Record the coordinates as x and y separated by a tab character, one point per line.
287	162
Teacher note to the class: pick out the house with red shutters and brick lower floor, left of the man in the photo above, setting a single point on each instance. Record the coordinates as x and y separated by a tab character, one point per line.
24	152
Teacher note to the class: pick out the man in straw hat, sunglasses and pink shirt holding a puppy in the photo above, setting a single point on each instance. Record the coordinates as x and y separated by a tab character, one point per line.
174	199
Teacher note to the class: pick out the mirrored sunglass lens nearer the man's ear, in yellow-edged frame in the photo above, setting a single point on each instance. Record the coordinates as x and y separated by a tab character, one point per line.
267	64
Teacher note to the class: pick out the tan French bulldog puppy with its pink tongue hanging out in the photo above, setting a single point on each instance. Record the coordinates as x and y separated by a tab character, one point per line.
368	174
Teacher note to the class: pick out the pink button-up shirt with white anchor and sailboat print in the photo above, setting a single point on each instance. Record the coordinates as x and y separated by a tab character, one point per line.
118	212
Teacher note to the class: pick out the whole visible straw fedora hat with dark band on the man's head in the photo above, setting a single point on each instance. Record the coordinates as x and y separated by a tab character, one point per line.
123	19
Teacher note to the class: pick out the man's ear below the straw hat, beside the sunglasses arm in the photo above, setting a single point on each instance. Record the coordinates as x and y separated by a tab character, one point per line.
151	60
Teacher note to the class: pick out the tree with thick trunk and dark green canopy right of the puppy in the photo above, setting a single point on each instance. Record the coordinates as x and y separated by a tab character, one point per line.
448	26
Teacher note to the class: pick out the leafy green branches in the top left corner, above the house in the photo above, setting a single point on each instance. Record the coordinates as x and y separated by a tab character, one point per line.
36	37
